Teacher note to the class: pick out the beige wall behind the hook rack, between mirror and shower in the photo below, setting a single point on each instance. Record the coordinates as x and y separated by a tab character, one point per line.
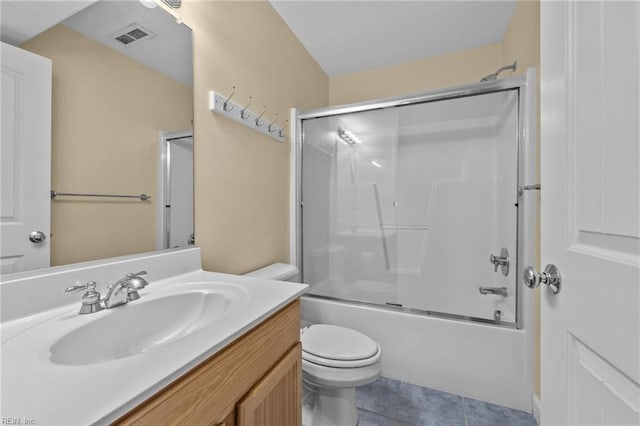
242	177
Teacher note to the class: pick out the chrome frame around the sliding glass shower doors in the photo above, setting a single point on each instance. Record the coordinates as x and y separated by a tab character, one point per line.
525	138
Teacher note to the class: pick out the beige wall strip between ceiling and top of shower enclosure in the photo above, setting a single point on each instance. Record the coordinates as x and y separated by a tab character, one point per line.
417	76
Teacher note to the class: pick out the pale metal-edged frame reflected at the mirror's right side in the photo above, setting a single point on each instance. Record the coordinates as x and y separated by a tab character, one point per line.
164	179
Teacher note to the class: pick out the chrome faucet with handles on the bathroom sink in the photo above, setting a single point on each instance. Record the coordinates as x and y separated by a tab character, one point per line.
122	291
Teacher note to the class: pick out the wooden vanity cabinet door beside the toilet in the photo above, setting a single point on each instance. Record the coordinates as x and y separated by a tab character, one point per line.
276	399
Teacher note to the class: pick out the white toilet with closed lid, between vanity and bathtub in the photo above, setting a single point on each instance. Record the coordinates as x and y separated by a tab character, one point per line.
334	361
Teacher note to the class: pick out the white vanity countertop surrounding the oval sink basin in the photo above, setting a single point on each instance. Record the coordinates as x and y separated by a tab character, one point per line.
35	388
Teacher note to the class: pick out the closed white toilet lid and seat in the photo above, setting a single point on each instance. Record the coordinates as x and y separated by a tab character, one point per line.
338	347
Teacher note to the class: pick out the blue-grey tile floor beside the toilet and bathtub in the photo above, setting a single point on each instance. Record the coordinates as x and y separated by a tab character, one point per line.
388	402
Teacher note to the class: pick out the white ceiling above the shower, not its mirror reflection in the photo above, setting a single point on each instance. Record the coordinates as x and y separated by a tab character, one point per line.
351	36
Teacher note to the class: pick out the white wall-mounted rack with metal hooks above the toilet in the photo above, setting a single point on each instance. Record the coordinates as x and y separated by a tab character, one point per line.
224	106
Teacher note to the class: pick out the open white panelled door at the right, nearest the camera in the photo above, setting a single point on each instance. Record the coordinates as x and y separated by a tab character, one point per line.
590	176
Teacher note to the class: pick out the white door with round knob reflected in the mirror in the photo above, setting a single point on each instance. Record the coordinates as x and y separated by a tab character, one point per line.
25	160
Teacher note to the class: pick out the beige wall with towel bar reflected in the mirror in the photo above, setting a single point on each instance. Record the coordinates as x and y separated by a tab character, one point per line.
107	113
